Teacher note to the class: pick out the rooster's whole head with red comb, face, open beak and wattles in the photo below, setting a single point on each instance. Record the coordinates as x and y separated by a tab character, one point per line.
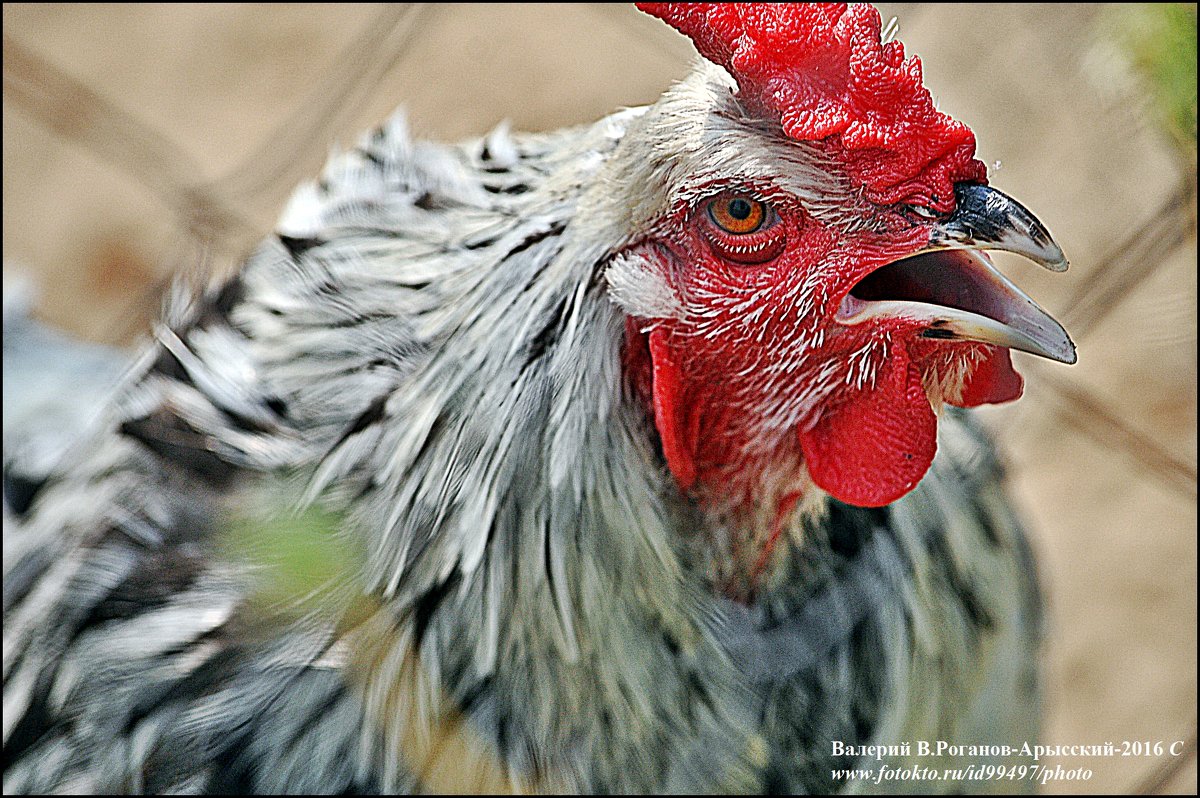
808	284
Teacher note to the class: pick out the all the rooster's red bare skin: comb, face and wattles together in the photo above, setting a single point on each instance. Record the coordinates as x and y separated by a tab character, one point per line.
758	382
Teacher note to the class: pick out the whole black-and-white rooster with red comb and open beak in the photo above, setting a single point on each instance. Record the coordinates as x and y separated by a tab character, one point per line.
629	458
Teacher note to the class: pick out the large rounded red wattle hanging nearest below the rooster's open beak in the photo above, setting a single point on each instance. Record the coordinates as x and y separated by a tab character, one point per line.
877	447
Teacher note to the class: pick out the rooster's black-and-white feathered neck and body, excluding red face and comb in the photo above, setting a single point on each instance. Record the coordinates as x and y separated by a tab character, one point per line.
441	349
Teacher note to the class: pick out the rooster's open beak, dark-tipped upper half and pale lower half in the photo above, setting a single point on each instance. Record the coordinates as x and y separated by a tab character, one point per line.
953	290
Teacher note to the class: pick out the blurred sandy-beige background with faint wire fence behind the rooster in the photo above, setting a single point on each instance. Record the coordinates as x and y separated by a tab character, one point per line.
141	142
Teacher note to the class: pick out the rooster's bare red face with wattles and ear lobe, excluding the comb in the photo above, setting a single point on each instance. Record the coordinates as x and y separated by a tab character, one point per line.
761	335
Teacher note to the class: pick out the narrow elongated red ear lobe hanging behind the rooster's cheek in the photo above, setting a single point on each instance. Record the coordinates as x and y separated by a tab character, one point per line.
677	423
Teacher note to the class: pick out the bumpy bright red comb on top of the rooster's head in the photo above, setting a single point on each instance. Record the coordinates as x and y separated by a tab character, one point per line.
824	70
